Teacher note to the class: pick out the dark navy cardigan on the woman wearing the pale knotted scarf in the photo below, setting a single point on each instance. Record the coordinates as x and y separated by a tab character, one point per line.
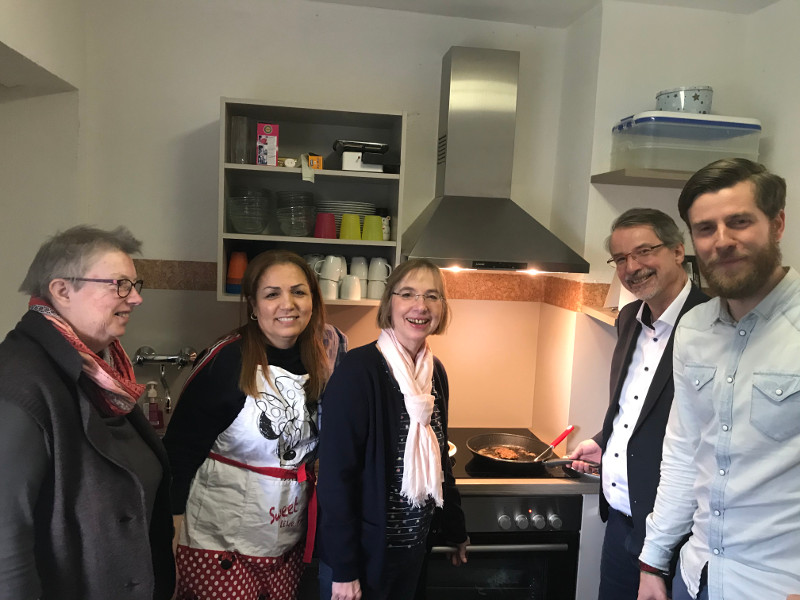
359	434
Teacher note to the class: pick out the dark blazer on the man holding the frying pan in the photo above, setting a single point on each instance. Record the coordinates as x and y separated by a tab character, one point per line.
644	447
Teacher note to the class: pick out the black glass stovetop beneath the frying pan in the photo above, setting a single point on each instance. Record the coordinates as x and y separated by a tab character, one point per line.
467	466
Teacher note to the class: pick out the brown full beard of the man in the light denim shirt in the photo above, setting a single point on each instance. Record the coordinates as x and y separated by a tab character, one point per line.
750	279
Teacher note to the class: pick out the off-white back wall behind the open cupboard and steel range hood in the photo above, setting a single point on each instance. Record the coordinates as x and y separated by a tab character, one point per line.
157	71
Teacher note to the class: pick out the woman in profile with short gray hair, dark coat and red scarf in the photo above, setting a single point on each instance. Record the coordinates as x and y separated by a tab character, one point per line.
84	505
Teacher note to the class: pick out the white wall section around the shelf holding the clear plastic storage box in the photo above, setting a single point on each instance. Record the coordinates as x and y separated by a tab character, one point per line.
645	49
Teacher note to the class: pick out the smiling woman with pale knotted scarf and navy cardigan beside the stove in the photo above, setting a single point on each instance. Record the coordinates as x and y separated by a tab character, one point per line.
384	466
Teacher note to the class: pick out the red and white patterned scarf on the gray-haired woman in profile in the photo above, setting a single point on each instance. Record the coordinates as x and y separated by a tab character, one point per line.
118	388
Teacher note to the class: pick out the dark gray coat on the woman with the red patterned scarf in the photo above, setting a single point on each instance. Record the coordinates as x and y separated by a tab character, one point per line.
88	519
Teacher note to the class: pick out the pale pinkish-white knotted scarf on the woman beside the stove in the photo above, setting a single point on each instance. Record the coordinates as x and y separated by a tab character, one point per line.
422	459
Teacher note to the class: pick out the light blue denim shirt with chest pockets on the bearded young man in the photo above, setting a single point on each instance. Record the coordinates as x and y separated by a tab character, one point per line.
731	462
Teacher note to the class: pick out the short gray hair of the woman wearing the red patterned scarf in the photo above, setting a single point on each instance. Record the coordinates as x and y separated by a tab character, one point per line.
69	254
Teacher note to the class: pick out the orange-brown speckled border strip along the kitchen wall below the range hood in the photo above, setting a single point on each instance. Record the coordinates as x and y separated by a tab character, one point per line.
466	285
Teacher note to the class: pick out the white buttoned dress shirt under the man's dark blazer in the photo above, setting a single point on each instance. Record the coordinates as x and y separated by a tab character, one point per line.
649	349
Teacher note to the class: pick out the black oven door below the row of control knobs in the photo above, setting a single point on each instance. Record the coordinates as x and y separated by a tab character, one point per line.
508	566
